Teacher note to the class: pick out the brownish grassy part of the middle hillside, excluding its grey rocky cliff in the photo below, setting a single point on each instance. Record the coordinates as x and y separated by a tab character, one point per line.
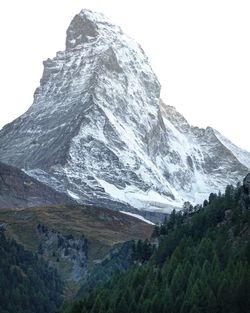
102	227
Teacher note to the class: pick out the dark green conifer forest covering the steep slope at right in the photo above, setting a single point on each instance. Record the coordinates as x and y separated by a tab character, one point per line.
198	261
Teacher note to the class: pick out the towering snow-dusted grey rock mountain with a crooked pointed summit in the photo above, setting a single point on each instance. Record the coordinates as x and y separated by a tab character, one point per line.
98	130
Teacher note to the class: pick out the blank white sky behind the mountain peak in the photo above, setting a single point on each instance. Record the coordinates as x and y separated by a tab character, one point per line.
200	51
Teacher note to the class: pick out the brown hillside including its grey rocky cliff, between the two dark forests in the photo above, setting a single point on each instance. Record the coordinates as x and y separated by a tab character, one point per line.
72	238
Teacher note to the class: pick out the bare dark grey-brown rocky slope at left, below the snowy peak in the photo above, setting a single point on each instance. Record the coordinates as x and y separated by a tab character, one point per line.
18	190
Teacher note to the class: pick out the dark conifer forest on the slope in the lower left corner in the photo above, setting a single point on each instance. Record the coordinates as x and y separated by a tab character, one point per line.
27	284
